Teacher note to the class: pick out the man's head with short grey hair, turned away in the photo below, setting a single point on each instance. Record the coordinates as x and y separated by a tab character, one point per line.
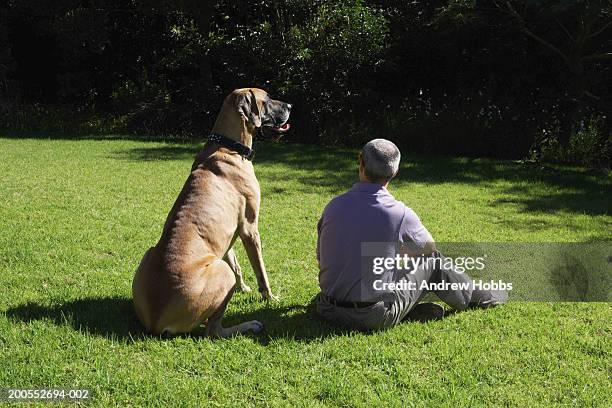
381	159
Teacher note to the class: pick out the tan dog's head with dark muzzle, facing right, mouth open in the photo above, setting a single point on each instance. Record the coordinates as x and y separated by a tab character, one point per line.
259	110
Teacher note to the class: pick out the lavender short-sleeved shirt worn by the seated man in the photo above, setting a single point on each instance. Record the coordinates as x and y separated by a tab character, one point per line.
365	213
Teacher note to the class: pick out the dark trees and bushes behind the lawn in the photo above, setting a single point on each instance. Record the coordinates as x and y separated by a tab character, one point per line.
527	78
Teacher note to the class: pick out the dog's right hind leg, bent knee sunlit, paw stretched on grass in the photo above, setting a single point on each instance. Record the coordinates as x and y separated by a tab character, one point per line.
221	279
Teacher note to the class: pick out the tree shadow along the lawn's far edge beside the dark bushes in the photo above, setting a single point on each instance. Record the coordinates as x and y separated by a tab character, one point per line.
534	188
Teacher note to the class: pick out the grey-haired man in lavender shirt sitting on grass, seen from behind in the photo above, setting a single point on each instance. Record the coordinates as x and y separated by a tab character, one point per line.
368	221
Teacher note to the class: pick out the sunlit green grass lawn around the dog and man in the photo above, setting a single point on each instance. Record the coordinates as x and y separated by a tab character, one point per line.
77	215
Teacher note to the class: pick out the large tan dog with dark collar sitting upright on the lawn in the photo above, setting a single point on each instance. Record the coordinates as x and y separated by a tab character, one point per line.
189	277
